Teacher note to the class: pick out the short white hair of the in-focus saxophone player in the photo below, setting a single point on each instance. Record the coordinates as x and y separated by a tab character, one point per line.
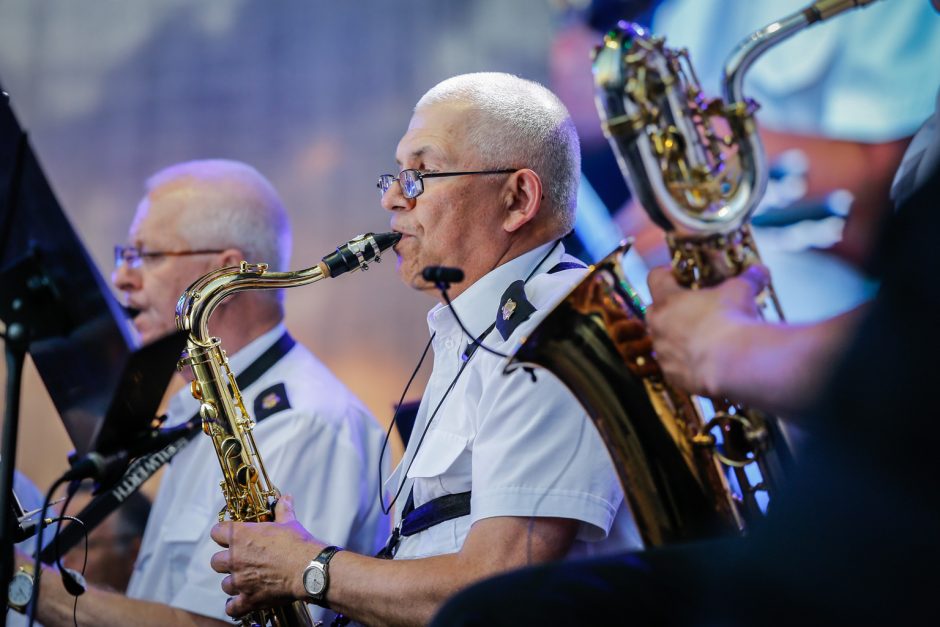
522	124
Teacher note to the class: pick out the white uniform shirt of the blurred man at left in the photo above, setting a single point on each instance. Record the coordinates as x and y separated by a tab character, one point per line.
323	449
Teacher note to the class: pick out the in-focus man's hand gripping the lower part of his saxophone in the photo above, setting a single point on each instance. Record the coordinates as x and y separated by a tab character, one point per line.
263	561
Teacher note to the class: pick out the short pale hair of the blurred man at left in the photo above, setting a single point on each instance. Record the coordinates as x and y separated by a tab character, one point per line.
233	206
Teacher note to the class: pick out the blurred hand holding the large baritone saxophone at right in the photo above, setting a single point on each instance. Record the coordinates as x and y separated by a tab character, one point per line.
695	332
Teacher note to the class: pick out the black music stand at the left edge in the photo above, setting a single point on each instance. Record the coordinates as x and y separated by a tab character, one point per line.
57	307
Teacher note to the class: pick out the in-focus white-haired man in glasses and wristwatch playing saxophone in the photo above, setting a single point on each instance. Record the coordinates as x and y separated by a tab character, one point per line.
500	471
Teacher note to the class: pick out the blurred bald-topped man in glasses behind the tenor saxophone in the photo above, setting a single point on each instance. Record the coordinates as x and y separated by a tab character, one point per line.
315	435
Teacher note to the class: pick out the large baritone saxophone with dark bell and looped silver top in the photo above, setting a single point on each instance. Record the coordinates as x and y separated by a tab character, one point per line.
671	449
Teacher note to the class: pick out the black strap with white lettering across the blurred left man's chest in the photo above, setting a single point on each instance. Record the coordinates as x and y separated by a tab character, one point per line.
144	467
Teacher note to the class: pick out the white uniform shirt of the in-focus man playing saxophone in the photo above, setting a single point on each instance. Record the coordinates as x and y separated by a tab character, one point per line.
522	448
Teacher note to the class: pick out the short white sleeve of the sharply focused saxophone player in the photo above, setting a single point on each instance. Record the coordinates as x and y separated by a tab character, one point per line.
536	453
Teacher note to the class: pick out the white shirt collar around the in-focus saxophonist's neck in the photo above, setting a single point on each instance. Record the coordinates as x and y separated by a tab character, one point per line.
477	305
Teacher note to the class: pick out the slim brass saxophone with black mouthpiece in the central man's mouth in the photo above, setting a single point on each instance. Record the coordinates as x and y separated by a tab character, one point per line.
249	494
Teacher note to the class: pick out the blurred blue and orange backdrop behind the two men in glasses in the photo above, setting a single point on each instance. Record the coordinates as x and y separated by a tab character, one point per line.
314	94
